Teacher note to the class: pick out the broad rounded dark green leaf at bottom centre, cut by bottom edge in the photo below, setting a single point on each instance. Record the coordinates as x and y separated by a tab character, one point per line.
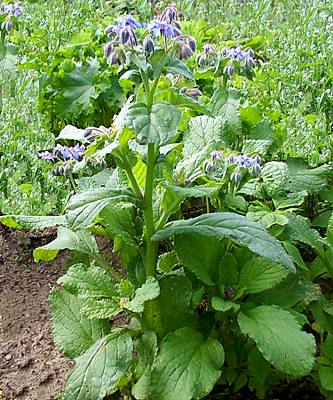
186	367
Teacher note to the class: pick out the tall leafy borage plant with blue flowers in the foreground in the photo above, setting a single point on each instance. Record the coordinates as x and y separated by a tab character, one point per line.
183	305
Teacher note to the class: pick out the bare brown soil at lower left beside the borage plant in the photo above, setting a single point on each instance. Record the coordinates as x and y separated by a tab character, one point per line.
31	368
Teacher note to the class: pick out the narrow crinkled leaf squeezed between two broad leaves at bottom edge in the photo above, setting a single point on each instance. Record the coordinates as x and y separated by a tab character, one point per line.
147	349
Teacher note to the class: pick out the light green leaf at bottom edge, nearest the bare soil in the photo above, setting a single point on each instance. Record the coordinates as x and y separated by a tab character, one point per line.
99	369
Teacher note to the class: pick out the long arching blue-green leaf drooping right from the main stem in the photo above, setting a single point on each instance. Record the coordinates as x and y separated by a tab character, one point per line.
235	227
